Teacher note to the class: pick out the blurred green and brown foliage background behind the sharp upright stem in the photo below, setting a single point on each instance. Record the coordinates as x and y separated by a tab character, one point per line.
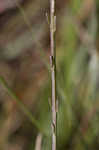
24	63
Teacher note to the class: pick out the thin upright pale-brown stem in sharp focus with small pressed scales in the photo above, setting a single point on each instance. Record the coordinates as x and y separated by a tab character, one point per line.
53	72
